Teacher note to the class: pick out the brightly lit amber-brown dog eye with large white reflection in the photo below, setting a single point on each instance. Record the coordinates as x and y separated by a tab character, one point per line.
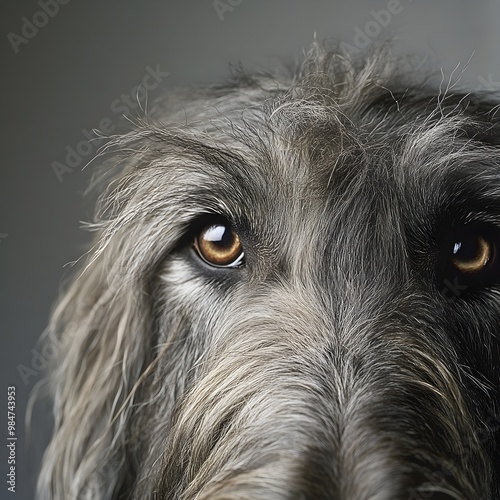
218	245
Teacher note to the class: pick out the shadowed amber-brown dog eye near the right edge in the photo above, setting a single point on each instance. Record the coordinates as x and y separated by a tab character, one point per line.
472	253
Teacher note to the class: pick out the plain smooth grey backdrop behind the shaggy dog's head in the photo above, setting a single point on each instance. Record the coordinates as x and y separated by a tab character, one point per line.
66	78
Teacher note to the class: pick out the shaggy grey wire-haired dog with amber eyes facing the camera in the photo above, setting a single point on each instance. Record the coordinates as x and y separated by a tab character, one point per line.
293	293
